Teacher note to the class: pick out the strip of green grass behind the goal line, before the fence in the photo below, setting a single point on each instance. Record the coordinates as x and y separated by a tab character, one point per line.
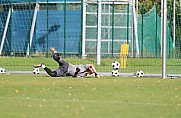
148	65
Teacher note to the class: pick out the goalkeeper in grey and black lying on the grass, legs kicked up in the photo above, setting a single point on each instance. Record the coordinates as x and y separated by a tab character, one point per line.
68	69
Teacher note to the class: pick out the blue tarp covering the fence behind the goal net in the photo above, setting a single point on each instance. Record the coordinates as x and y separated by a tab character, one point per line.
63	38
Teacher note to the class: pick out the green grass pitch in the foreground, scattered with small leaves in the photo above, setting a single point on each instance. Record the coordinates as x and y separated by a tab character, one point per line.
40	96
